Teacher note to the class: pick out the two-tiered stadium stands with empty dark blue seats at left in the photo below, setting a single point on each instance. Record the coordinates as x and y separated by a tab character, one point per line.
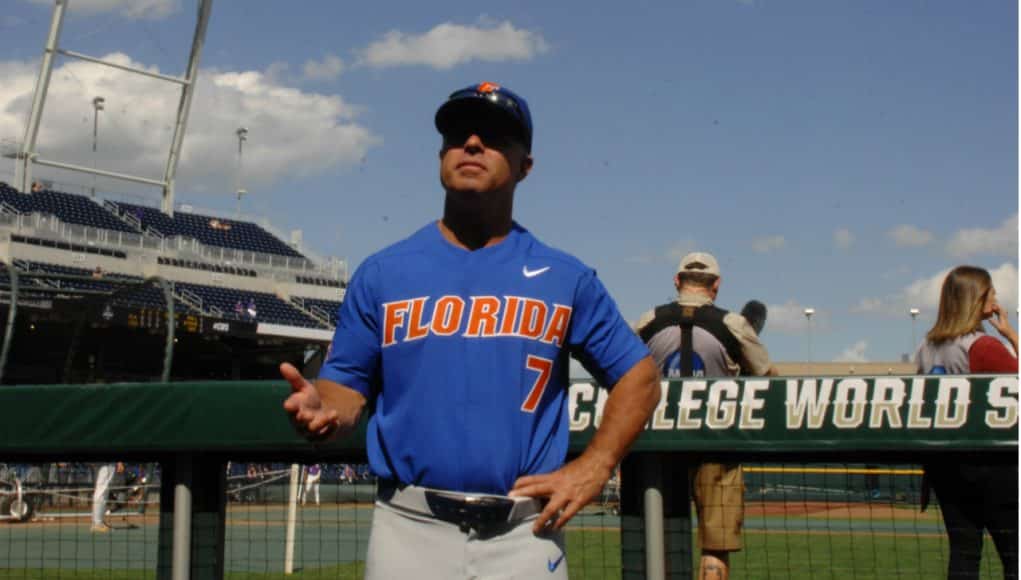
139	236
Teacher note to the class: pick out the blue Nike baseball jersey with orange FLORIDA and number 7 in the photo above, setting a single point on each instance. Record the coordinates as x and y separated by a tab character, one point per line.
464	356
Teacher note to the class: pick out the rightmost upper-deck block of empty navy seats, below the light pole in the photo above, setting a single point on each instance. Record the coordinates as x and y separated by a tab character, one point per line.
210	230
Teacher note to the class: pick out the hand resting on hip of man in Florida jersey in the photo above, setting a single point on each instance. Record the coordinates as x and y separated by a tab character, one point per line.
569	490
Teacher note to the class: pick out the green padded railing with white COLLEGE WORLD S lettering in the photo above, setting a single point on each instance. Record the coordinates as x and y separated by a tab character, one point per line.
902	414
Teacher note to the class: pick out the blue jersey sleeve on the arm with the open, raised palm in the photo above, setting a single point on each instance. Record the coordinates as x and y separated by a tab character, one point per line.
355	353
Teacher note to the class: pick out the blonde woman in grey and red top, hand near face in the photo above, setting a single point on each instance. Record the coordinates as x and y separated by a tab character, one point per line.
975	495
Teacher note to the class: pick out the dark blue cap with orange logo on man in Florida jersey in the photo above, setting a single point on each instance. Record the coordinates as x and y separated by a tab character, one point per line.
488	99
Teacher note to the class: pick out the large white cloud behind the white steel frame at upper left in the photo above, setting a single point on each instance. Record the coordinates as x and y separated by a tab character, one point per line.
291	133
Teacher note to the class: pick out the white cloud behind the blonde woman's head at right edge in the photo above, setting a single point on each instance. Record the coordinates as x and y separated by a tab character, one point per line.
925	295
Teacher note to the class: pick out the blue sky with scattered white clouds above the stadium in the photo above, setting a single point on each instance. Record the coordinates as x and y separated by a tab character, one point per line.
839	156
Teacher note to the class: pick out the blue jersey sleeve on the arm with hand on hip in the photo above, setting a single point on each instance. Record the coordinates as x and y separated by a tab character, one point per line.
601	340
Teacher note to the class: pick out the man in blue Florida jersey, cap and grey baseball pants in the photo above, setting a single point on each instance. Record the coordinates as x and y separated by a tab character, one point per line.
460	339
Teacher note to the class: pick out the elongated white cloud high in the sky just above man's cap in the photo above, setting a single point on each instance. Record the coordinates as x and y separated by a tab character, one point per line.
449	45
